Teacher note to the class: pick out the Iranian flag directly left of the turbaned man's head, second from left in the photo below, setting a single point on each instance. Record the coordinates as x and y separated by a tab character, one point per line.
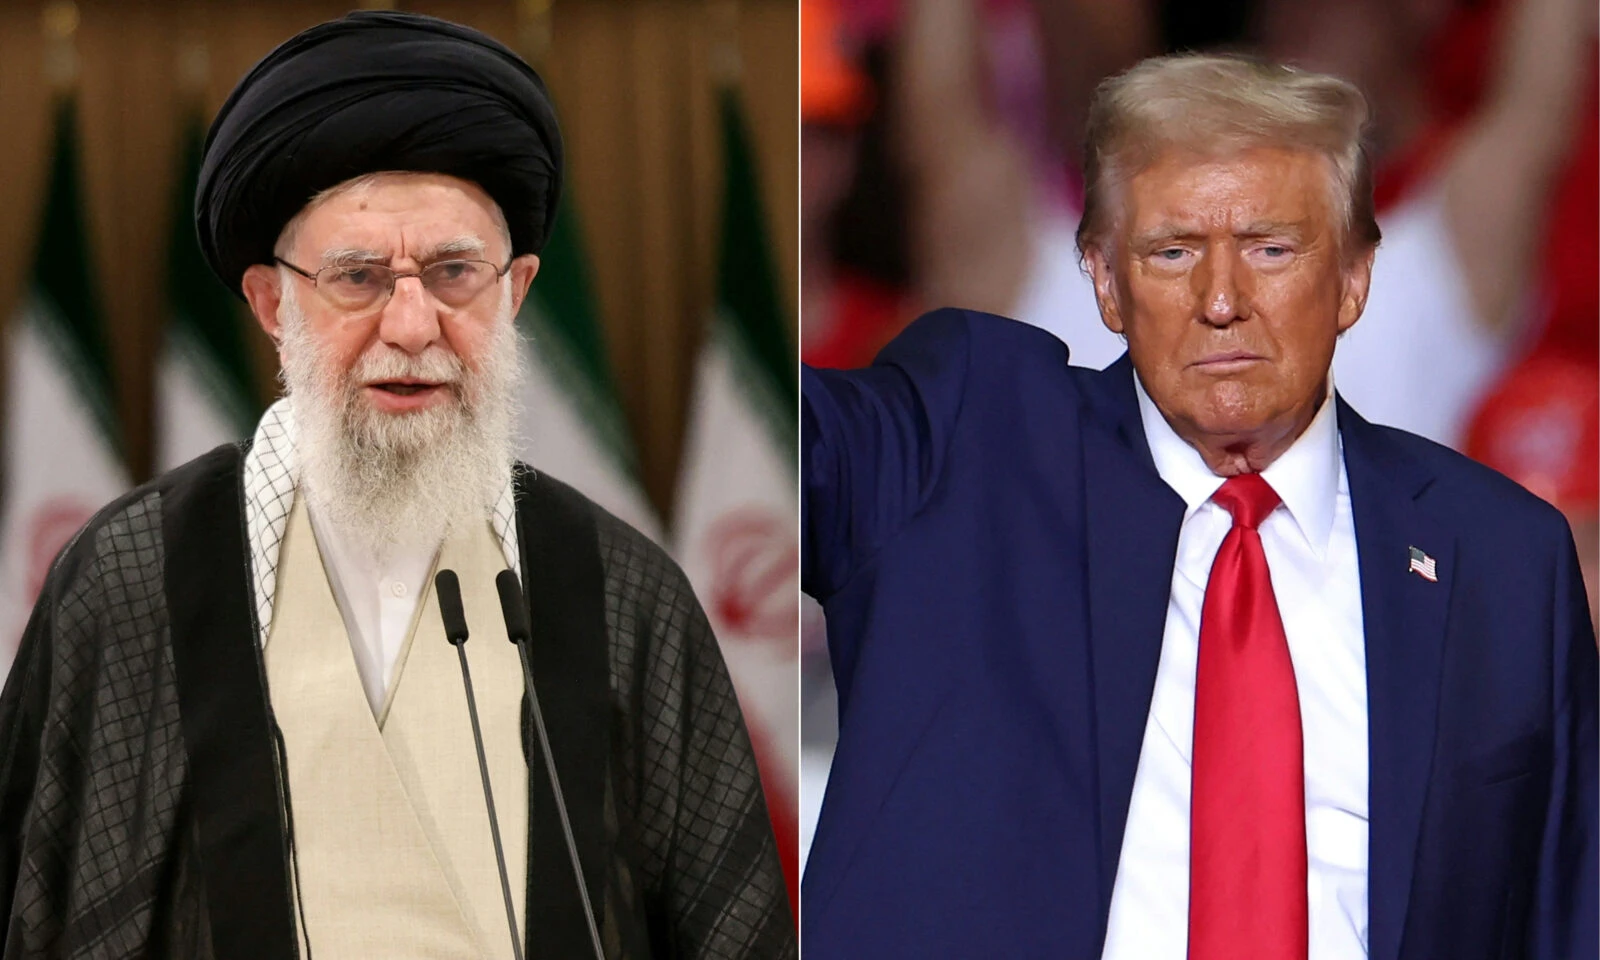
207	388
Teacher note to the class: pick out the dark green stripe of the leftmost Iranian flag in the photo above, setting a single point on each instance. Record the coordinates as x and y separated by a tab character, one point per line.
70	306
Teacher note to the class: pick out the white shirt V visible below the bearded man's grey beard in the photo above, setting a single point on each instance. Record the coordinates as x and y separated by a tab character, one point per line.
378	602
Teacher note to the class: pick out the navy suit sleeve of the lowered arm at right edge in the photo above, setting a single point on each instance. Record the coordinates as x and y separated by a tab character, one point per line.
1567	890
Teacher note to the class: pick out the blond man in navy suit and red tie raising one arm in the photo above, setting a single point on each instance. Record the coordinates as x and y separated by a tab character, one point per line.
1185	658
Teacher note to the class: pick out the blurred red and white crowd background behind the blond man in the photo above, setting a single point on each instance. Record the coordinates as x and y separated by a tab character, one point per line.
940	167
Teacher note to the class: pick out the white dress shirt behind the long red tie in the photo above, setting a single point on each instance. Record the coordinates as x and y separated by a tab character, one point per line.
1310	543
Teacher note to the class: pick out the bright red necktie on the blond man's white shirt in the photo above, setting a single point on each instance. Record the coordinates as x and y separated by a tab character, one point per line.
1247	817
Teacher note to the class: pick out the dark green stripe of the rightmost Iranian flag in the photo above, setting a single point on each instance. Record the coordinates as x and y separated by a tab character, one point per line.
748	282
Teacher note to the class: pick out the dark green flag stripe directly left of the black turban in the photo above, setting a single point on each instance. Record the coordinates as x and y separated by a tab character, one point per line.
209	322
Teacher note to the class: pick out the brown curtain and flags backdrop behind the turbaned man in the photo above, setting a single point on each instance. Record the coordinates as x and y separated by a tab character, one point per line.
660	334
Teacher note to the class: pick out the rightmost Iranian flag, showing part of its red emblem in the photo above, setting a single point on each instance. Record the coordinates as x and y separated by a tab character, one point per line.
738	510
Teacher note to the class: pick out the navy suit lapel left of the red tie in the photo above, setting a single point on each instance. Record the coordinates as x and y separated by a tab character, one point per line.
1134	524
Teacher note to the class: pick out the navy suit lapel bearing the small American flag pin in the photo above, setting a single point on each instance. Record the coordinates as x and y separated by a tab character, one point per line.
1404	620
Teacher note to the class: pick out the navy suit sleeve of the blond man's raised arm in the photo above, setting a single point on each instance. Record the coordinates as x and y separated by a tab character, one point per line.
873	447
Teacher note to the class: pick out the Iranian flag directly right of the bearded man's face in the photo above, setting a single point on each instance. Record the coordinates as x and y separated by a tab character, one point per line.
570	420
